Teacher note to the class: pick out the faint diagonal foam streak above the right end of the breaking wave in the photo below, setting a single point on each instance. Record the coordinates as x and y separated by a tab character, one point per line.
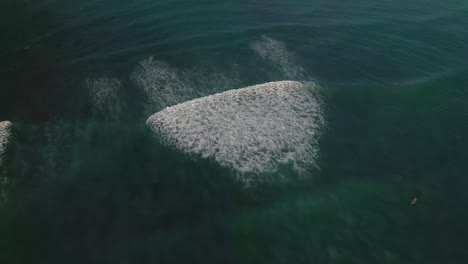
275	52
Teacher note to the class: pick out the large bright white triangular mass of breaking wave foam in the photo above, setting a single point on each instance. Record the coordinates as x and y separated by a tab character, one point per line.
252	130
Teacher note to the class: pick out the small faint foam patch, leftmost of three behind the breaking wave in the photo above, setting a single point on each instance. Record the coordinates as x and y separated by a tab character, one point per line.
104	94
